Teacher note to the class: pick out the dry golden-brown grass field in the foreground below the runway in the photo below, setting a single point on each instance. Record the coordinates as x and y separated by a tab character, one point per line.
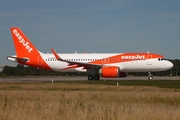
97	100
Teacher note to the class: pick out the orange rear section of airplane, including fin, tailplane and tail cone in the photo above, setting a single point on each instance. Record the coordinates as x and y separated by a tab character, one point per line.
26	52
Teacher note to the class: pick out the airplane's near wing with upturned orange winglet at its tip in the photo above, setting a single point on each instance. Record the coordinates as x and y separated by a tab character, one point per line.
78	64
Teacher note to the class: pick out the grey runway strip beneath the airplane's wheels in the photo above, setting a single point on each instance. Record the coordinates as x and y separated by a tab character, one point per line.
45	79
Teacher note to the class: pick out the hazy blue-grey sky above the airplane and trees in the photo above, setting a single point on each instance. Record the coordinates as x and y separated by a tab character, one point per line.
93	26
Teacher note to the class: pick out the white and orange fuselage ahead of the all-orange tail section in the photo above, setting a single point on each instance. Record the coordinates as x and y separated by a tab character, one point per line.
127	62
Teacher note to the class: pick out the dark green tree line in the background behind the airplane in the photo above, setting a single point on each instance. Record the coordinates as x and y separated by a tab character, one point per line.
21	70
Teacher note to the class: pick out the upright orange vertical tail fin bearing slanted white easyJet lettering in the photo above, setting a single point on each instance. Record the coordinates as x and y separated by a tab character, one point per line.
23	46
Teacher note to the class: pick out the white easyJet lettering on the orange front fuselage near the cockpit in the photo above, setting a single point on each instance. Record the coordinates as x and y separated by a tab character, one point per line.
133	57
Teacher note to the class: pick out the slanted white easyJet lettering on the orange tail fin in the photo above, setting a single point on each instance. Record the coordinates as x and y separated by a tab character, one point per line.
23	41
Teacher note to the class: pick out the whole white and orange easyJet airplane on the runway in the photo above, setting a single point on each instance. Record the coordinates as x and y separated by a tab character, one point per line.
107	65
